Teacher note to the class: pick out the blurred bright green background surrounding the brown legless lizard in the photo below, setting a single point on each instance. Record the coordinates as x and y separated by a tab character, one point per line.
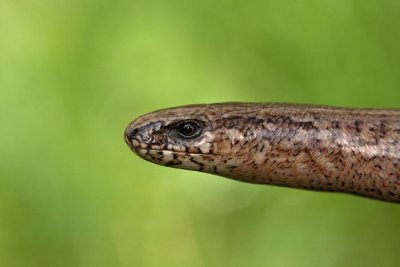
74	73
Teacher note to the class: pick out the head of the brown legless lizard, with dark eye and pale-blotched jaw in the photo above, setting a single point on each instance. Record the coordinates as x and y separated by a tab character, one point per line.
176	137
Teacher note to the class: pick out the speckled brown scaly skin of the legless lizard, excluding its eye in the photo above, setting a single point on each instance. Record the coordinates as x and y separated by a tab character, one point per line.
321	148
